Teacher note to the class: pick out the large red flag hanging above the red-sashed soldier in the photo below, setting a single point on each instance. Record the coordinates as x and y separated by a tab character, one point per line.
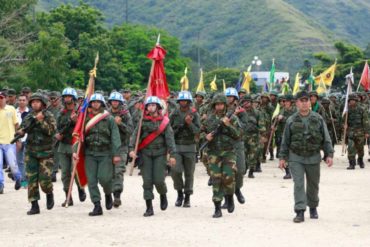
158	83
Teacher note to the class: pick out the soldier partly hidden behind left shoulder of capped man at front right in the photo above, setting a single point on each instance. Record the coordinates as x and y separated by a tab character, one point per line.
283	116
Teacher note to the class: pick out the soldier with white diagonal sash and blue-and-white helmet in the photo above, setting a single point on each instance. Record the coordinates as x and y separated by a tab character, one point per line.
102	151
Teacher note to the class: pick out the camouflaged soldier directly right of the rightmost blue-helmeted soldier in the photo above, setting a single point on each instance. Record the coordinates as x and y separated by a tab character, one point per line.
253	127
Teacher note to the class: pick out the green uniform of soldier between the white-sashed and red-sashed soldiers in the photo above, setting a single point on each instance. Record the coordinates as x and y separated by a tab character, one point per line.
125	130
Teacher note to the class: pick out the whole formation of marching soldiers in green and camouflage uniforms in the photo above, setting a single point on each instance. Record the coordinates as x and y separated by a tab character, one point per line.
231	133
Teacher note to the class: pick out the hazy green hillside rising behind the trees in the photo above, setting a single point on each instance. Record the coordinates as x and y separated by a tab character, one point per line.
287	30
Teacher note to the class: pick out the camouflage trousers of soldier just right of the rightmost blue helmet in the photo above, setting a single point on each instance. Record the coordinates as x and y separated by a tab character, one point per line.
252	150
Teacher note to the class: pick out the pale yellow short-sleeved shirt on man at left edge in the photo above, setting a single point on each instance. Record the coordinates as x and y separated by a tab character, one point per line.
8	120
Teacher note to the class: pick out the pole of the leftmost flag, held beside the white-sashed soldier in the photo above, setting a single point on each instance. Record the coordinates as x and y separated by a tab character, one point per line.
79	147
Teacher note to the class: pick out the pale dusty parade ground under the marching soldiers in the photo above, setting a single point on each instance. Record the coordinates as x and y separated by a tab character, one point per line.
264	220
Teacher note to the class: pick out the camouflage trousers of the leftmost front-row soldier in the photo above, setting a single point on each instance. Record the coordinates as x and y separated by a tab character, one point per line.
38	171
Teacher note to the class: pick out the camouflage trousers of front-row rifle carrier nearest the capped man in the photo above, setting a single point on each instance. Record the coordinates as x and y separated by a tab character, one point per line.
222	167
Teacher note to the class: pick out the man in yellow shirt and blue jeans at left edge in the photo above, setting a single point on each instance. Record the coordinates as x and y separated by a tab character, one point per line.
8	123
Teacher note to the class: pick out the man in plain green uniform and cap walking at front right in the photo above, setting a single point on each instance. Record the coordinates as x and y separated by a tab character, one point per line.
305	134
